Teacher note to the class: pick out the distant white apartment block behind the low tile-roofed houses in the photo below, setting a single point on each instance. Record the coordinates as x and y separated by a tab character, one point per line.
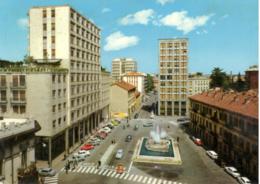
121	66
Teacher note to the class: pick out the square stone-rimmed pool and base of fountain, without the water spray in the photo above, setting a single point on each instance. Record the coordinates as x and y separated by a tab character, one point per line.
145	154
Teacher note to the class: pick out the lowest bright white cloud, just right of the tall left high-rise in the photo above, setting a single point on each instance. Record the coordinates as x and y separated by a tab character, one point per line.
118	41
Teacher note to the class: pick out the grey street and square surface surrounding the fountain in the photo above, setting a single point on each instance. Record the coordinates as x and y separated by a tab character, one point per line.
196	166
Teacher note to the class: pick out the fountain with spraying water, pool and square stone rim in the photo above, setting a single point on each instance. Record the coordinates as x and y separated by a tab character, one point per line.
158	148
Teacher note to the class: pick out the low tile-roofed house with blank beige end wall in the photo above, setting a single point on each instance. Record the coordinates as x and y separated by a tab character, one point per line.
123	98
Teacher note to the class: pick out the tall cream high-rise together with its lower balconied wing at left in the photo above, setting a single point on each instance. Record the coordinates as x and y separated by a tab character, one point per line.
61	89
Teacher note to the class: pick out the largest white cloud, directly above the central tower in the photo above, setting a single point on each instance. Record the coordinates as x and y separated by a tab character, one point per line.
182	22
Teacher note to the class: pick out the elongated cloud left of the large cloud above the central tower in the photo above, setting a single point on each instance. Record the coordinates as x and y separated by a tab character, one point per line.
140	17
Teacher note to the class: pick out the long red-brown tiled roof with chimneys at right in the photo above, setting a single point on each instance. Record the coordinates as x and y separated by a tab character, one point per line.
244	103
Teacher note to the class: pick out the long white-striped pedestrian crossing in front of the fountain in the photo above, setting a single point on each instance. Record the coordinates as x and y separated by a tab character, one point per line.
110	172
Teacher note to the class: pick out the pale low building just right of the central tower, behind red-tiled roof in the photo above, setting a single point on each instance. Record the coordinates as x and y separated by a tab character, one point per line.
198	84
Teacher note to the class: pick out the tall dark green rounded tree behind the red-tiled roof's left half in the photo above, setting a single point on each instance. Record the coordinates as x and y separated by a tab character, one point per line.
219	79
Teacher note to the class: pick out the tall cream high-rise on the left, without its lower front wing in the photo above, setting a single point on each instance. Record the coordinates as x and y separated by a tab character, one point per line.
59	32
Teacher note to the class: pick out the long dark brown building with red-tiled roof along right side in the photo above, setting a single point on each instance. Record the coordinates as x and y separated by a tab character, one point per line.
227	122
